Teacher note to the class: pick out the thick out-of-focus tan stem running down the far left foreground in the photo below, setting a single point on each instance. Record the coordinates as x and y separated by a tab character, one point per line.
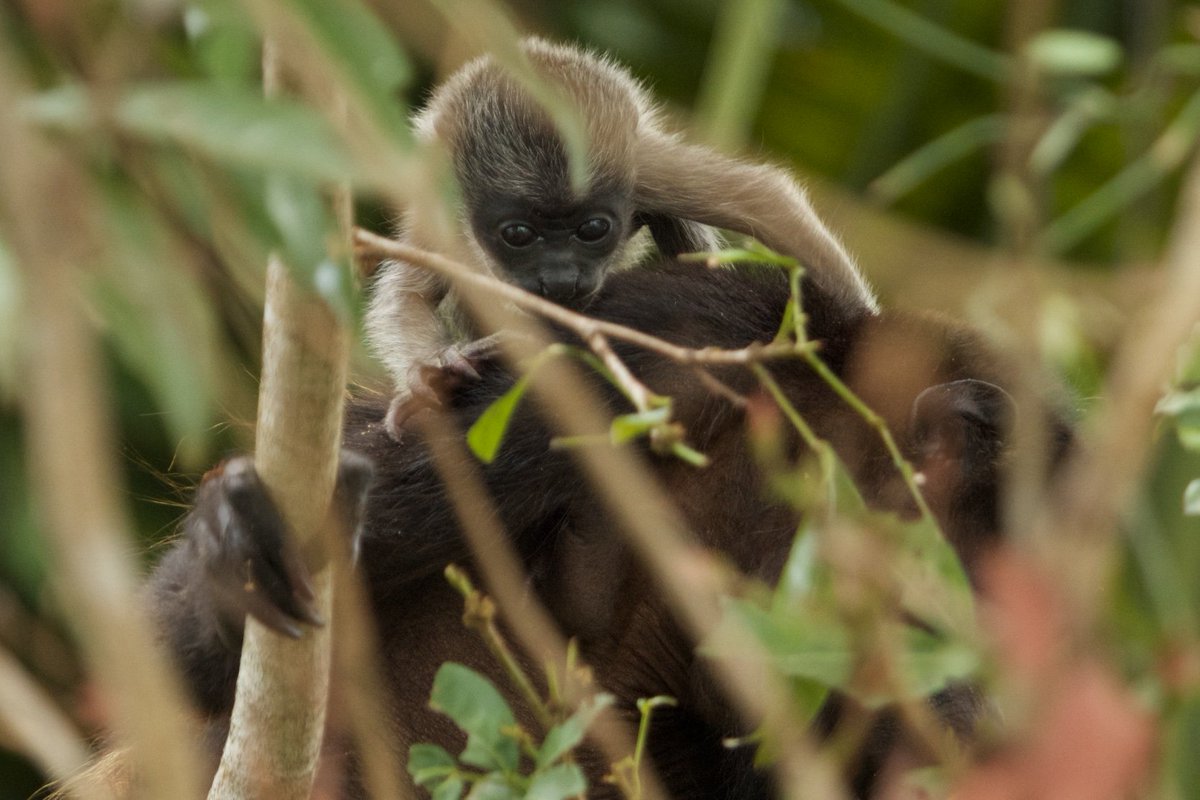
46	218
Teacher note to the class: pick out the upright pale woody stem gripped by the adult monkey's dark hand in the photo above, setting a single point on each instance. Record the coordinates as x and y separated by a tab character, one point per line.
279	717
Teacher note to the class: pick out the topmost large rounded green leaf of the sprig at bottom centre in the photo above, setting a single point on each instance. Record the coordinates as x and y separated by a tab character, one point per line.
473	703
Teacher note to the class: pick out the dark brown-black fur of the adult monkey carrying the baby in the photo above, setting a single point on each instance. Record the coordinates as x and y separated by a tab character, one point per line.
572	551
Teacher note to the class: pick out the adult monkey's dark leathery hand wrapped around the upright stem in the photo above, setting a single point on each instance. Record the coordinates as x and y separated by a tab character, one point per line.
250	561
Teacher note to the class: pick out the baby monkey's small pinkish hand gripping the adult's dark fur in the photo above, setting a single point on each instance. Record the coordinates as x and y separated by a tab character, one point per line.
430	383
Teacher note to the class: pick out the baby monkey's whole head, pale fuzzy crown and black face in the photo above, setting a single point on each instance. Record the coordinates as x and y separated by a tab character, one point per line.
521	214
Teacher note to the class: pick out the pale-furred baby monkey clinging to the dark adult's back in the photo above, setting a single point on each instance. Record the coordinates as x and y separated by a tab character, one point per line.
523	222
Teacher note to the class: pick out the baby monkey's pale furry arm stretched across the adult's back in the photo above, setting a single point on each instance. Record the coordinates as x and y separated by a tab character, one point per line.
694	183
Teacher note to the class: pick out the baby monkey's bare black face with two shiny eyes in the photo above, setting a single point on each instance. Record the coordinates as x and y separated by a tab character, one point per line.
561	250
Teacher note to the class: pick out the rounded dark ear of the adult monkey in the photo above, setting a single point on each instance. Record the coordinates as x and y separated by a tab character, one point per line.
957	440
